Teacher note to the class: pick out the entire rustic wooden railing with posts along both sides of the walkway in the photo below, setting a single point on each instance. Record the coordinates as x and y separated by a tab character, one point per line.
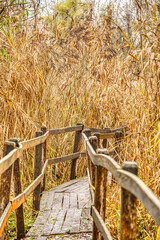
98	165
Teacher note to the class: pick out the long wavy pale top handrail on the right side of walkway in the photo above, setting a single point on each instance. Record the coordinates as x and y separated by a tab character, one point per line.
126	180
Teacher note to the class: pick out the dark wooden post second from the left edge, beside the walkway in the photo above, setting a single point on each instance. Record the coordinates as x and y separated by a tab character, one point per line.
18	190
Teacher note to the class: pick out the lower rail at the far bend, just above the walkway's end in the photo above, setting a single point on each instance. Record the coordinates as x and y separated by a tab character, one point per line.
66	158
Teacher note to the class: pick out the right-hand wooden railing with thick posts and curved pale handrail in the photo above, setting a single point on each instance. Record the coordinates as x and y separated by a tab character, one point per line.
132	187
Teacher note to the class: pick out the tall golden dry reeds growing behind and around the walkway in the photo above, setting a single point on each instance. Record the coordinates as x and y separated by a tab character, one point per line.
56	79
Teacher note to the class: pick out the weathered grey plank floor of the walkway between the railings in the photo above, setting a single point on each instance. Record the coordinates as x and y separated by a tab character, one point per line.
64	213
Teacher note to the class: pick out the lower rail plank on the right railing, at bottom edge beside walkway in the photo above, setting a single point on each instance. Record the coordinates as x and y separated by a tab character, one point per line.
100	224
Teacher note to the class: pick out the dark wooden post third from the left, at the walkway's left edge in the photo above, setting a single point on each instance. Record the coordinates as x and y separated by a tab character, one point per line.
37	172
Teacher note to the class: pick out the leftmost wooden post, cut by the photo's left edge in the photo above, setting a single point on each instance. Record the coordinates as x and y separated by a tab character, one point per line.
5	187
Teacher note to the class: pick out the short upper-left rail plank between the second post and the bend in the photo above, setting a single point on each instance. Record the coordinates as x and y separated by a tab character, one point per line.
35	141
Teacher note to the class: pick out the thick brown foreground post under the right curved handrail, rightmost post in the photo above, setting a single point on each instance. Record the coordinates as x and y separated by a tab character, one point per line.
128	207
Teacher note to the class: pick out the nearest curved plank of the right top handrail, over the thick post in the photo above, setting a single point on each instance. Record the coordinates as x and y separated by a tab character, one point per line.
138	188
